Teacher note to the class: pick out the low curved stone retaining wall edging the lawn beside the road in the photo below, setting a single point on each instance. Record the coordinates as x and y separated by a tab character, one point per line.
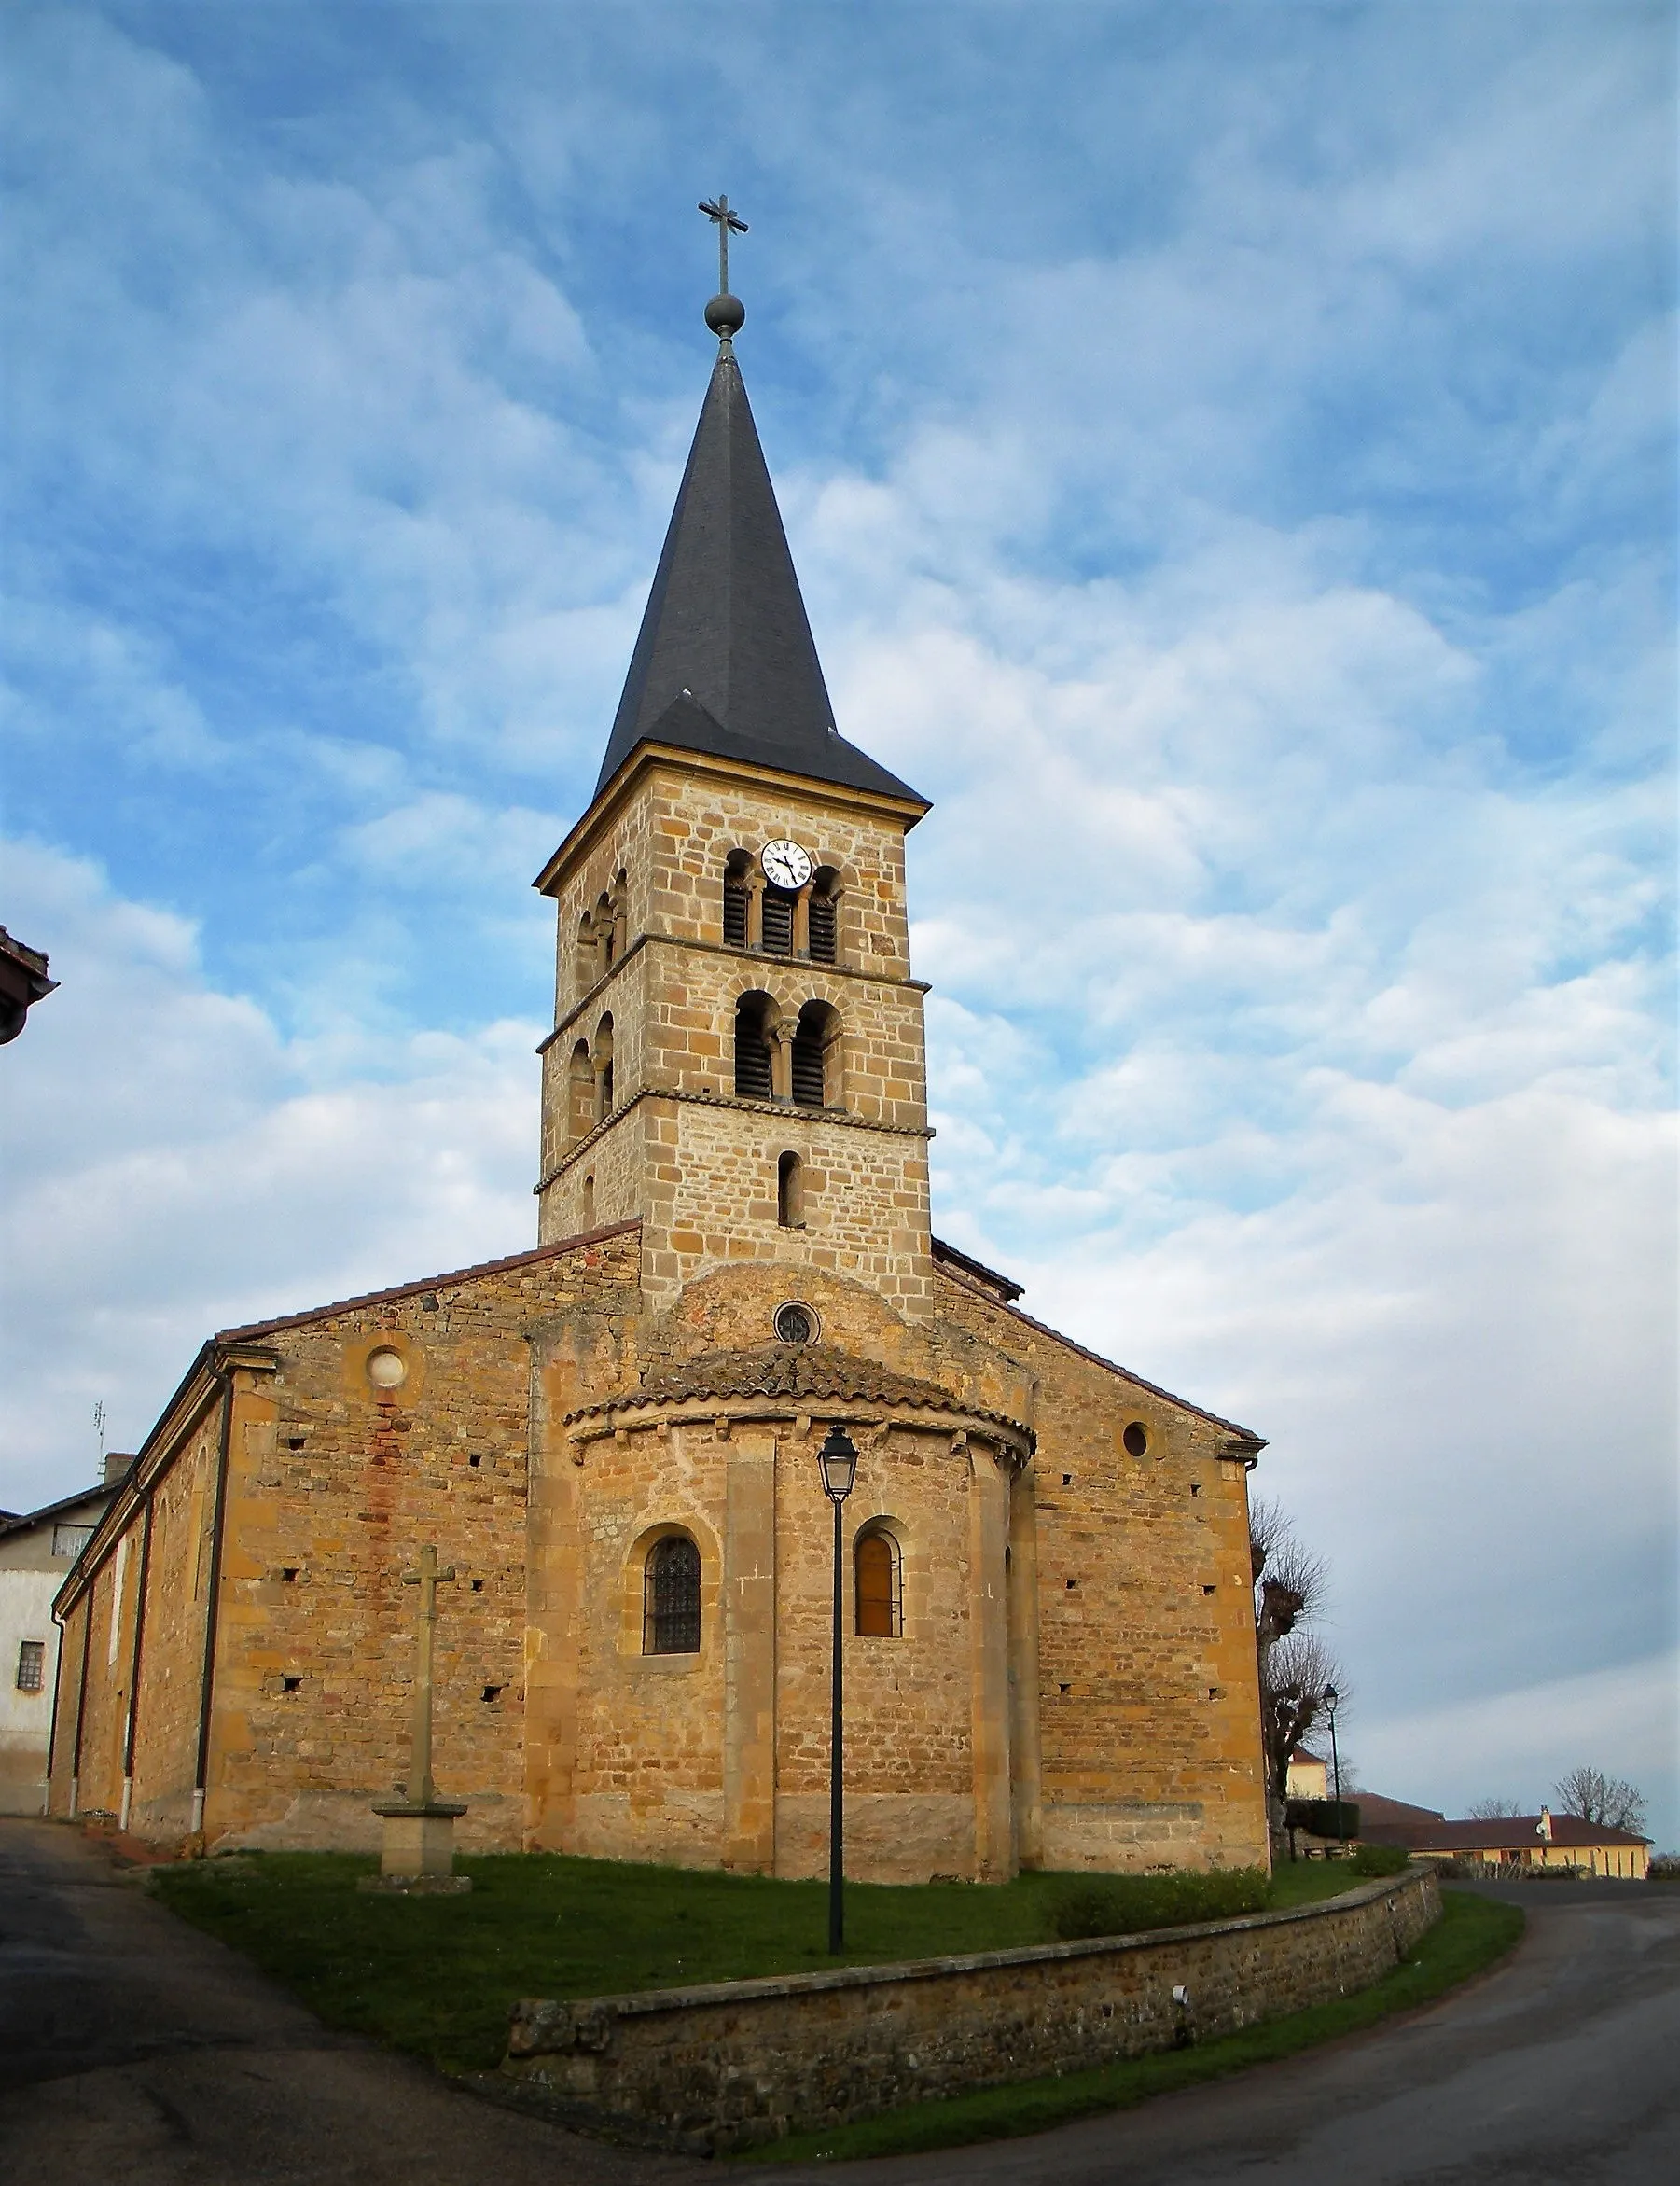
742	2062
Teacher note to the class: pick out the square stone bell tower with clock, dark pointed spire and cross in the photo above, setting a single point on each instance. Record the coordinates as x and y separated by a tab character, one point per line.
737	1053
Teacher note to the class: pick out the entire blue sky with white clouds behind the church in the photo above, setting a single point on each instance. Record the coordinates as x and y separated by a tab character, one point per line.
1229	458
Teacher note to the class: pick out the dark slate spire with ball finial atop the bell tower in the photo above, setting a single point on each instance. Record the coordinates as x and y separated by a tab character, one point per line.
726	661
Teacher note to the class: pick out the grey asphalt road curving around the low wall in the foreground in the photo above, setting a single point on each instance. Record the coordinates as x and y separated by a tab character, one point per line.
139	2054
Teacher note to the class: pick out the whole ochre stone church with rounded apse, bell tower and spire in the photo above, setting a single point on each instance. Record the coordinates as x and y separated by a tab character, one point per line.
613	1439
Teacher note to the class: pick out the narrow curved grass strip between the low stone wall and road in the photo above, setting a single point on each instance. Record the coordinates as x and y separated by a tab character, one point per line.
1469	1936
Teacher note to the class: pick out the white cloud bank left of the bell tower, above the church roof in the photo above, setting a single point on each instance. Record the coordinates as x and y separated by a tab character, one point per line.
178	1168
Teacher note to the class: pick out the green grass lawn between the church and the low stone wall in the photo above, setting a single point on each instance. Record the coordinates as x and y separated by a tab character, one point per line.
438	1975
